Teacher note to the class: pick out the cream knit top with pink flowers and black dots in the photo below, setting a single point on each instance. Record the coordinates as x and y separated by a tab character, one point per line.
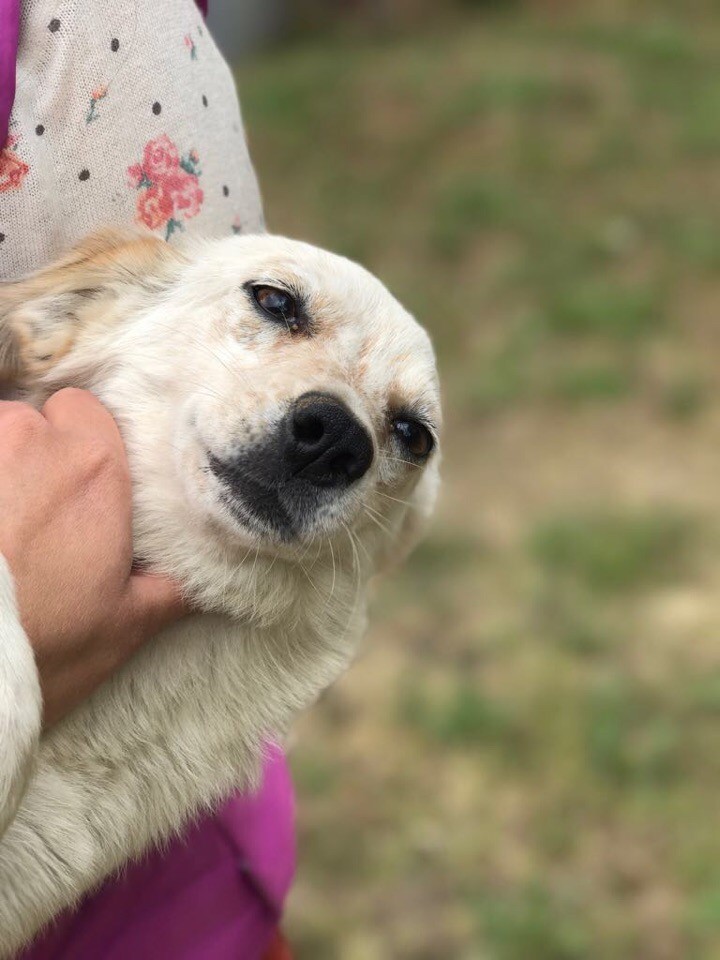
124	113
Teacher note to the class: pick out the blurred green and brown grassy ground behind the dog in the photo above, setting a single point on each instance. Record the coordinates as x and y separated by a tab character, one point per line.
524	762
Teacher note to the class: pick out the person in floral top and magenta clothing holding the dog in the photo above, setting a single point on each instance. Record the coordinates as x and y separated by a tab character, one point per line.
122	113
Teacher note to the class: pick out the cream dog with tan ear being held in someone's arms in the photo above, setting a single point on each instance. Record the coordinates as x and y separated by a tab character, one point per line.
280	411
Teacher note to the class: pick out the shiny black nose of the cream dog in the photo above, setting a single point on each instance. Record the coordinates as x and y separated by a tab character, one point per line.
326	445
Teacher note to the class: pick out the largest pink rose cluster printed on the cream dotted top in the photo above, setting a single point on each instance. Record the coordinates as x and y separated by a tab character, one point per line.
168	186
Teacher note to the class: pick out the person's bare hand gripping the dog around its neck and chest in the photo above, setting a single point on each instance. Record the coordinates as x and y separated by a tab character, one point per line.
65	532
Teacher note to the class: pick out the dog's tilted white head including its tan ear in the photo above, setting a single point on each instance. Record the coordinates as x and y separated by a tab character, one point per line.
279	389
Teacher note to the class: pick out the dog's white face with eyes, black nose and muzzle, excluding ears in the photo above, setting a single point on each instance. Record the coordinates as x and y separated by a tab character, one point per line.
312	401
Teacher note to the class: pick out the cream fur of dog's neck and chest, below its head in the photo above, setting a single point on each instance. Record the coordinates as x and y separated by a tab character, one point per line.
185	722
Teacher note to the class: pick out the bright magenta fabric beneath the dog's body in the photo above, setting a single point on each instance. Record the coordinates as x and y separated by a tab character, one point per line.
215	893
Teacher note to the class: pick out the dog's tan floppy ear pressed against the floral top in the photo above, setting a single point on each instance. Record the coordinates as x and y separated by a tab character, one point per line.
43	315
